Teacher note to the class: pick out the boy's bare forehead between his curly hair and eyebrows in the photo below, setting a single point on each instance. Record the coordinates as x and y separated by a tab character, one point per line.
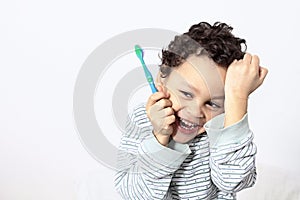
200	72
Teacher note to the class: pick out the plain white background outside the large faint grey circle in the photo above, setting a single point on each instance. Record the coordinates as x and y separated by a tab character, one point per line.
43	45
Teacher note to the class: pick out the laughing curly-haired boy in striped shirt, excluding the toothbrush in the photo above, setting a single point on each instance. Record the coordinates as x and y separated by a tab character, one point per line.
192	140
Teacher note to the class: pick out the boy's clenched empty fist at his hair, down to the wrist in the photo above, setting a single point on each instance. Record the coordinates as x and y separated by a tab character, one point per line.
244	76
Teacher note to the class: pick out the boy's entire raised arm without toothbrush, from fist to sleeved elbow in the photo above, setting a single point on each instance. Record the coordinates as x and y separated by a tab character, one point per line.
232	148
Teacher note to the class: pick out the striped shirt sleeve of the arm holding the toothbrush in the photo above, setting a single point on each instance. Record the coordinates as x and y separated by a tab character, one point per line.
145	167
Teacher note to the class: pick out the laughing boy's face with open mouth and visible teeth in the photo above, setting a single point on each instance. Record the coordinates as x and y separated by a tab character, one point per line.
197	92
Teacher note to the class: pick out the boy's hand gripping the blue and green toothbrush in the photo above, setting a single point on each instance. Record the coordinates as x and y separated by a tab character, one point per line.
161	115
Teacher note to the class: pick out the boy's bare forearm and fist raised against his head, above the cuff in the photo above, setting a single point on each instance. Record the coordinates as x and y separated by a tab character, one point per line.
242	78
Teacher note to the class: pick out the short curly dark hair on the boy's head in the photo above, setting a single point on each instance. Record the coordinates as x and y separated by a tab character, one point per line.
216	41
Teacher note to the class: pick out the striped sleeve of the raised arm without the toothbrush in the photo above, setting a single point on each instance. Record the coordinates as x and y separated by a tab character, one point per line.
232	154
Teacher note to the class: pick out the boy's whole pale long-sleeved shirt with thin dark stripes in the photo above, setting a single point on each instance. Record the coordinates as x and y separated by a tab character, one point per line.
214	165
